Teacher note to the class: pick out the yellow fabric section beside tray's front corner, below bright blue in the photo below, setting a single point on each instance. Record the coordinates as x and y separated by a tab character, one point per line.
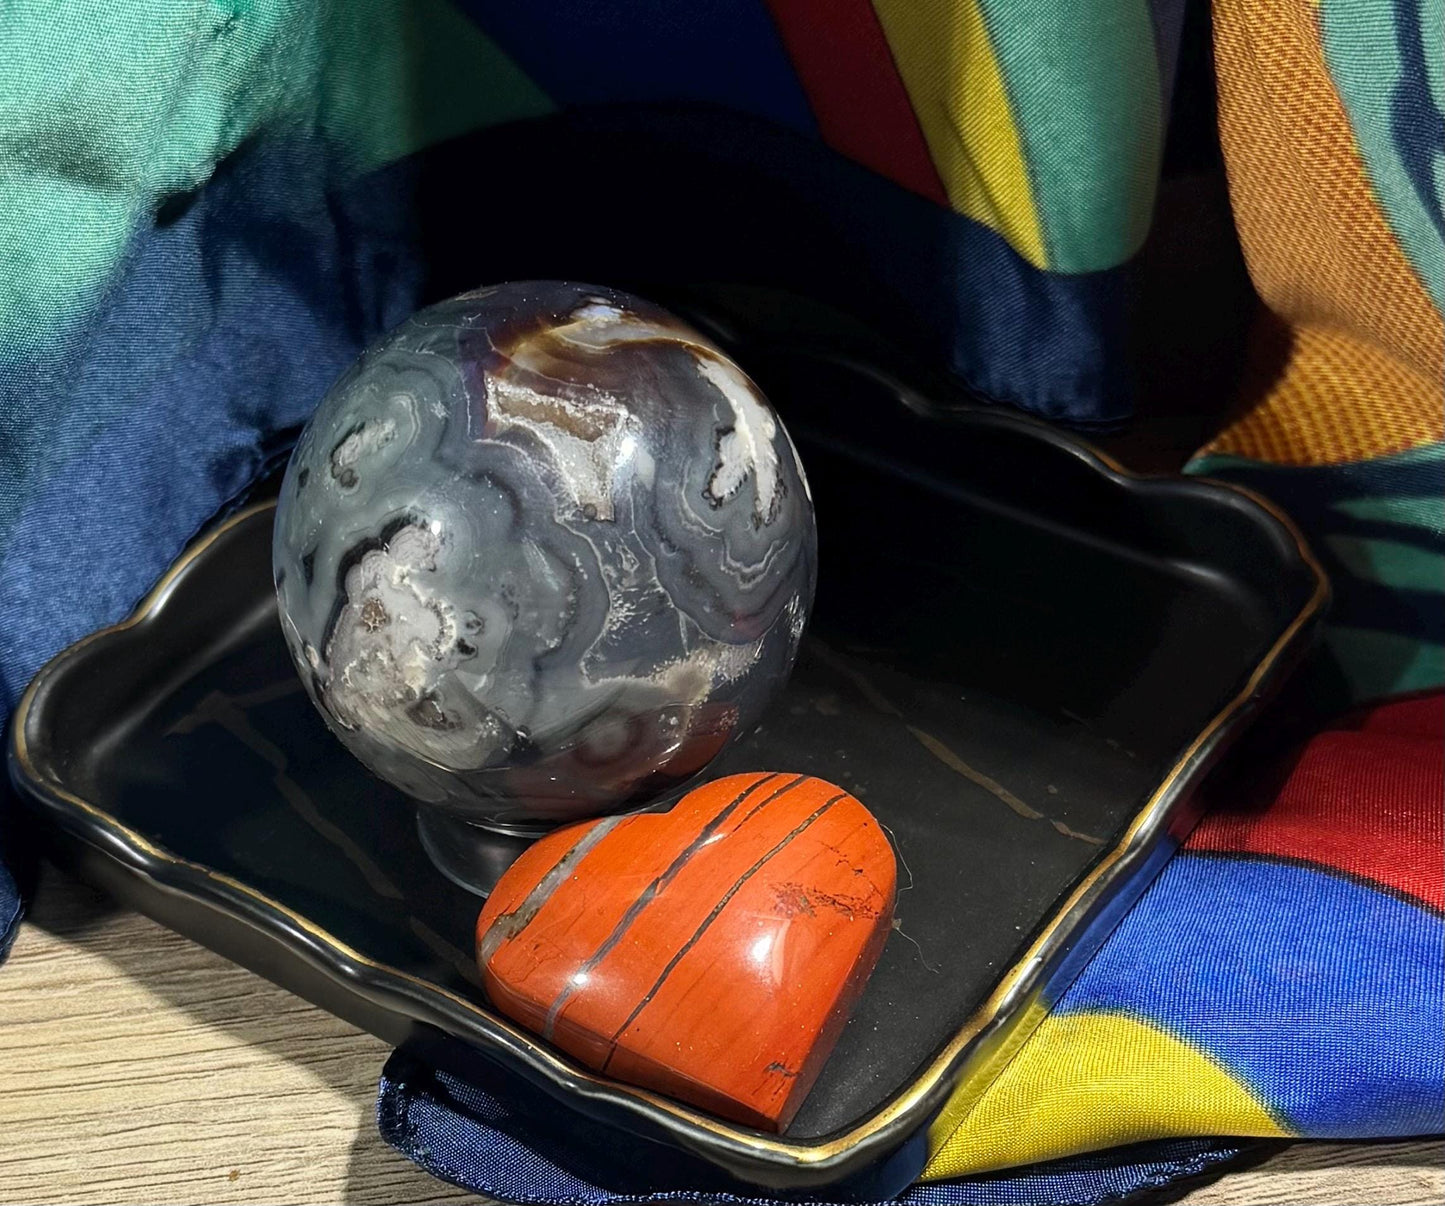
1084	1083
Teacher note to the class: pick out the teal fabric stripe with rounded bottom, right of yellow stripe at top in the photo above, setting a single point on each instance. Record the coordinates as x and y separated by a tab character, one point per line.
1084	86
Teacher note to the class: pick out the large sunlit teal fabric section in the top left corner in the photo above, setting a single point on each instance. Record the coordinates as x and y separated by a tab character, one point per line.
108	108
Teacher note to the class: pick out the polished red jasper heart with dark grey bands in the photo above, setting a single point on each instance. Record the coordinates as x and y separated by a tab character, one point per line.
712	953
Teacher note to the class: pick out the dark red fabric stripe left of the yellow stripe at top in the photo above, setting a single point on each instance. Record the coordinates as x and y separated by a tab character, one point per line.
846	67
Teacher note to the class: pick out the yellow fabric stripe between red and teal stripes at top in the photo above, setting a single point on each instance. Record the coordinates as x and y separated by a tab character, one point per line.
952	74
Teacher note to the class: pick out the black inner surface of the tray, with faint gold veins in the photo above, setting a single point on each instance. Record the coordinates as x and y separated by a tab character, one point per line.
1011	651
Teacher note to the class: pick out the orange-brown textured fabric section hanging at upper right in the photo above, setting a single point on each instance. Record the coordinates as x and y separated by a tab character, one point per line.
1352	362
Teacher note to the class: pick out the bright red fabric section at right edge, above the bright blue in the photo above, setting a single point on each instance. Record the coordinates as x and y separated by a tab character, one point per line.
1363	798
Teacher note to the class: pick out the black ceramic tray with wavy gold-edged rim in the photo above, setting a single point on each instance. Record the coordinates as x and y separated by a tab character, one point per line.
1022	661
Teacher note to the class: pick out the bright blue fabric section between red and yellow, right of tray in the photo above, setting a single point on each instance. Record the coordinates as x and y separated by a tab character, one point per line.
1287	976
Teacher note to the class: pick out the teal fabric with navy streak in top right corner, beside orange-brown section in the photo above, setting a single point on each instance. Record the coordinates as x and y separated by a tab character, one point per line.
1388	63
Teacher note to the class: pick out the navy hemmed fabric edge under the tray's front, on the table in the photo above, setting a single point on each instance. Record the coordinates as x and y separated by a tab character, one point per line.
506	1143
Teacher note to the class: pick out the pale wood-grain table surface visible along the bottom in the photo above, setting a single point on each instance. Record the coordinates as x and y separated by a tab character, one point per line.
137	1067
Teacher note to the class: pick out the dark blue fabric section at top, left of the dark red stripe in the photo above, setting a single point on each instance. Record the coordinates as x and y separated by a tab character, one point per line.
725	53
